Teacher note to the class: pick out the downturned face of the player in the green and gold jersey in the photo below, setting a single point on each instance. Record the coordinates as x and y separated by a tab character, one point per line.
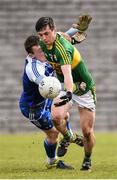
47	35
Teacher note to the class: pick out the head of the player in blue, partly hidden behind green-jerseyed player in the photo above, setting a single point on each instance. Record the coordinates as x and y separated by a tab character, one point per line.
33	48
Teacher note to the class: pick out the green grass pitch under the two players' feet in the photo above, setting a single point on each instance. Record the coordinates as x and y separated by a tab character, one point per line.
23	157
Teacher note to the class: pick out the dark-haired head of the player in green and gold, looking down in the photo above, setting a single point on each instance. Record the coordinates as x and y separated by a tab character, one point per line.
45	28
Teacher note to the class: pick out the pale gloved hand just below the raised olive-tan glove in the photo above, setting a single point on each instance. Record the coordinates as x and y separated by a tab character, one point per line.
78	37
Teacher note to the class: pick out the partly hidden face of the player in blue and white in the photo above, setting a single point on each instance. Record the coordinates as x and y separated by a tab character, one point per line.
38	53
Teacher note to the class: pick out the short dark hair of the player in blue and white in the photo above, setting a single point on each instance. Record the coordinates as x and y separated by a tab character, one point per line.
32	40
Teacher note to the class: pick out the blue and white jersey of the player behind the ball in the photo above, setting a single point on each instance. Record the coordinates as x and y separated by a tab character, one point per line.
34	71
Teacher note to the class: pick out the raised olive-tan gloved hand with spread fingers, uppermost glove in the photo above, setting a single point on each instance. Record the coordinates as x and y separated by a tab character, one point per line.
83	23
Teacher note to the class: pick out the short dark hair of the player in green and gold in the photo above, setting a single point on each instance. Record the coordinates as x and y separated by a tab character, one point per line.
43	22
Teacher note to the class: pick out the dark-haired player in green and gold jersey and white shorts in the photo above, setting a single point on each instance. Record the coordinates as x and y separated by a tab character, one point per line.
77	81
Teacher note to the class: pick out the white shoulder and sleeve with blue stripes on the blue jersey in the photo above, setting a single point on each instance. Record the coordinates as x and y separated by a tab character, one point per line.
35	69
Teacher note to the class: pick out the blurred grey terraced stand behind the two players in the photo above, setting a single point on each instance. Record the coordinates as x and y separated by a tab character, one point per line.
17	21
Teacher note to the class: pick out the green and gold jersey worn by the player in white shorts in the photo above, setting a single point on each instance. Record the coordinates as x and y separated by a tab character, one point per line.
63	52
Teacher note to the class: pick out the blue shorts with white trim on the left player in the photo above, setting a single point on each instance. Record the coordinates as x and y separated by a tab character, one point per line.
40	116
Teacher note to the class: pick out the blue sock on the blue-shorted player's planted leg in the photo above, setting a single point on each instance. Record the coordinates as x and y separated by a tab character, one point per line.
50	149
